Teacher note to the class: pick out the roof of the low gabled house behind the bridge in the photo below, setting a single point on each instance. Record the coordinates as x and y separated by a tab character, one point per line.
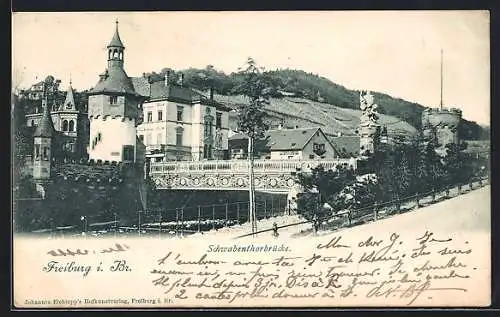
282	140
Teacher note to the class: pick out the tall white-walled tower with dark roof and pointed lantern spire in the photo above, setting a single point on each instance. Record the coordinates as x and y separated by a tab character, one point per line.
114	110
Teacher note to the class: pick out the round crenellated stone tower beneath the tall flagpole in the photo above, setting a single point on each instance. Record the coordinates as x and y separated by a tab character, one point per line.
442	125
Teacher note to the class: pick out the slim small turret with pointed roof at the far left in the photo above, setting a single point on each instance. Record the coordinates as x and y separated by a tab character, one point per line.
42	139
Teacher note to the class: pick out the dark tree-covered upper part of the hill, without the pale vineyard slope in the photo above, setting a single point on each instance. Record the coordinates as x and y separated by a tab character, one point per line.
298	83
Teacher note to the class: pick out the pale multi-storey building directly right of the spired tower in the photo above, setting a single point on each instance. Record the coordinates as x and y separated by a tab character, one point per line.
180	124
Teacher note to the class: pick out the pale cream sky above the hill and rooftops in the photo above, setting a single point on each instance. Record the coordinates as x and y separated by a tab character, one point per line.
393	52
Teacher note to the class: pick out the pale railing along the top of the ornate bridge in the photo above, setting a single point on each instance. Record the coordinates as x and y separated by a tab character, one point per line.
242	165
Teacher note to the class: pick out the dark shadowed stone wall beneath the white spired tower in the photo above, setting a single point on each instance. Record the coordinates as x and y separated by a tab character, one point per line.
76	190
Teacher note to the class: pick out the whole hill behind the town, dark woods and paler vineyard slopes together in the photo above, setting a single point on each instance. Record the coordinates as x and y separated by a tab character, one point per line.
298	93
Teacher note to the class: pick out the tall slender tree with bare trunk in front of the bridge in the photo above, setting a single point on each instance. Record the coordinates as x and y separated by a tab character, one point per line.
255	87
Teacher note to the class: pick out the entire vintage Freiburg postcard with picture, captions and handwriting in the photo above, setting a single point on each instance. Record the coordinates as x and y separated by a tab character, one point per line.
251	159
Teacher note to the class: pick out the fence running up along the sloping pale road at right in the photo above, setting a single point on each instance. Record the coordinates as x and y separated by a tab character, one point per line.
348	218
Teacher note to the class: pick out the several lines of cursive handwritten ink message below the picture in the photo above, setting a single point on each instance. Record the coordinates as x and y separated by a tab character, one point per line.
408	272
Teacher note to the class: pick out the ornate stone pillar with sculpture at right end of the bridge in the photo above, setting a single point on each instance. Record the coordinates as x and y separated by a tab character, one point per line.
369	126
